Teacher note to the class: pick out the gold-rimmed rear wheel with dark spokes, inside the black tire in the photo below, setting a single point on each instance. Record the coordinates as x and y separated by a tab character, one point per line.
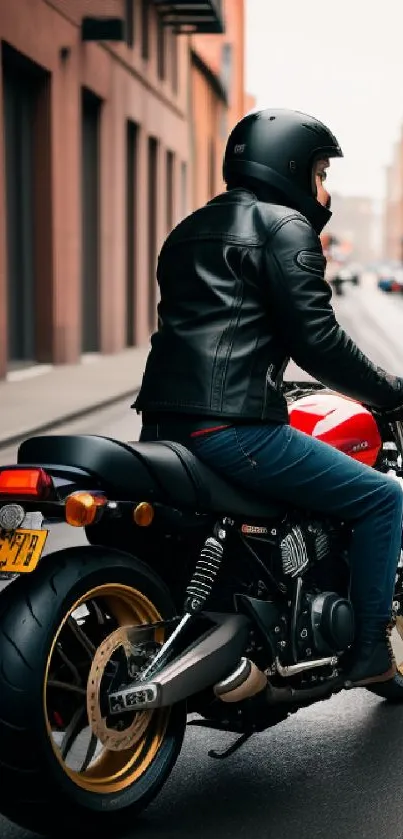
85	757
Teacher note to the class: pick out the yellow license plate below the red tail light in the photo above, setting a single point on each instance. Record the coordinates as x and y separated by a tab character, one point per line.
20	550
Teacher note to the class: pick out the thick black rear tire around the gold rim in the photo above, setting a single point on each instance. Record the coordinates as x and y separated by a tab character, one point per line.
35	790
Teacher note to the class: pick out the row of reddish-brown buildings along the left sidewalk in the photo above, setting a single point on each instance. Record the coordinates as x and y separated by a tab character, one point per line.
113	113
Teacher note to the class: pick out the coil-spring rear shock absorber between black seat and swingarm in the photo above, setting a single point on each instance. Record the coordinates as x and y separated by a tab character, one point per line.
206	571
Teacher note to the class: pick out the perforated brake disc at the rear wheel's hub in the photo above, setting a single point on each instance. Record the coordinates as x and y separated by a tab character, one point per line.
112	738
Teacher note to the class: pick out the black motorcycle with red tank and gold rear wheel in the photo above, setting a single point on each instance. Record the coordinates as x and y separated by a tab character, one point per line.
194	603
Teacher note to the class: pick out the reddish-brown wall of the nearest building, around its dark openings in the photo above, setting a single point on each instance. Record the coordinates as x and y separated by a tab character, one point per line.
129	89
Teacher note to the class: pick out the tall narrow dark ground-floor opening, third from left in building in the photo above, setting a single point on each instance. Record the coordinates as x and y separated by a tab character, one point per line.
131	231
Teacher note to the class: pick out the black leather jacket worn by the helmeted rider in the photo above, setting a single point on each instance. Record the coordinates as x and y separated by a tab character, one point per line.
243	290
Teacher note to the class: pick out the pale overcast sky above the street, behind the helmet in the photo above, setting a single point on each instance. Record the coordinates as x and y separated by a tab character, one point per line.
341	61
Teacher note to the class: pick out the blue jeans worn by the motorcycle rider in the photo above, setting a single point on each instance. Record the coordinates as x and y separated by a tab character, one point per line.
279	462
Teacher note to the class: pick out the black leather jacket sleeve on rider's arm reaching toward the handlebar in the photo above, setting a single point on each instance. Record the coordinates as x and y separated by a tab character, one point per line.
299	298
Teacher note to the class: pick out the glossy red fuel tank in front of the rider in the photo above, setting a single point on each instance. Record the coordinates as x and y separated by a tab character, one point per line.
340	422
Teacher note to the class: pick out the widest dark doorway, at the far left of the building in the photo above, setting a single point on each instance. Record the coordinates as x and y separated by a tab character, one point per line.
23	86
